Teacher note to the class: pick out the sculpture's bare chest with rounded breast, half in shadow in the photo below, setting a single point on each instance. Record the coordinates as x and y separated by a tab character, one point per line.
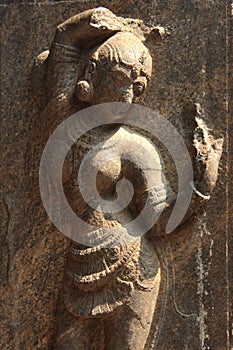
90	156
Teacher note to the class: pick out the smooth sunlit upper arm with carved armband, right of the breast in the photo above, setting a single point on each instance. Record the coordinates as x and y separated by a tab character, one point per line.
142	166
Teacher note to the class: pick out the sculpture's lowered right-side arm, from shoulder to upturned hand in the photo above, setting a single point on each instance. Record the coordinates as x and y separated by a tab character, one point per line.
146	174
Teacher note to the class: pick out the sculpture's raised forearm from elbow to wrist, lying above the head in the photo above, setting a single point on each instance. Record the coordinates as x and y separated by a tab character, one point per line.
88	28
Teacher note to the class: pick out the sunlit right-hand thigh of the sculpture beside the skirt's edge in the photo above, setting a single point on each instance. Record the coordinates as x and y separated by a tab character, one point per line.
130	327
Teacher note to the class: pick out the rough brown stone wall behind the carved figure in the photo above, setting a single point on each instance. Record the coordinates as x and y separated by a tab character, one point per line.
190	67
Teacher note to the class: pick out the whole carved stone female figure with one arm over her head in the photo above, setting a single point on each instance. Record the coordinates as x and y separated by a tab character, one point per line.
110	295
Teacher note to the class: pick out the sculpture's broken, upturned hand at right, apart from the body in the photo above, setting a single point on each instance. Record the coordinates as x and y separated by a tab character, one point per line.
208	154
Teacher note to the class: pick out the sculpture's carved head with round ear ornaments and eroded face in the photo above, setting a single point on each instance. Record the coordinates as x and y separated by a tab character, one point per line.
119	71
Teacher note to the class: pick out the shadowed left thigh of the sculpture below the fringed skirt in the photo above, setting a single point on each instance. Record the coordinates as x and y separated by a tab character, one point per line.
79	333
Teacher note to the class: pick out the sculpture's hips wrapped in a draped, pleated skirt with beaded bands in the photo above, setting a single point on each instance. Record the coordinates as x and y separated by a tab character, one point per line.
98	281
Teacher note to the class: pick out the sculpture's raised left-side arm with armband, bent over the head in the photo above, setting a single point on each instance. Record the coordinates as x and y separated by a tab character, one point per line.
73	37
